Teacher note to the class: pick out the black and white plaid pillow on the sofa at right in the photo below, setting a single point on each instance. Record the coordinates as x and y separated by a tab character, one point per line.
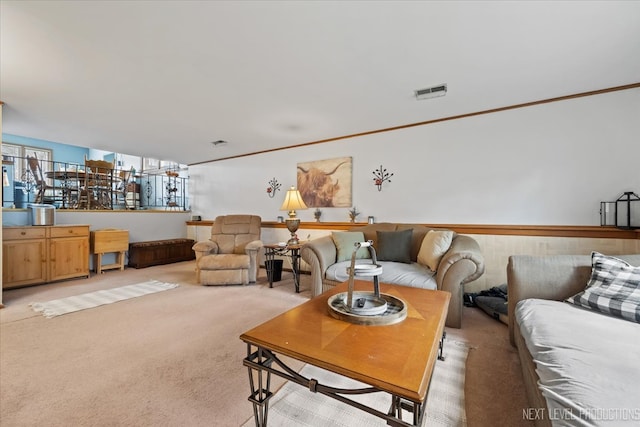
614	288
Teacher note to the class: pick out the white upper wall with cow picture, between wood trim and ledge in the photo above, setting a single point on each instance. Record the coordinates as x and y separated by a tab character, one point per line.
549	164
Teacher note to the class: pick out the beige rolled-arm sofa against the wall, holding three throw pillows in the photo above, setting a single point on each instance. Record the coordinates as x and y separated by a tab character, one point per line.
461	264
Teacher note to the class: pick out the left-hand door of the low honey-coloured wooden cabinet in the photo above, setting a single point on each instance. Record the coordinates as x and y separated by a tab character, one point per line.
24	262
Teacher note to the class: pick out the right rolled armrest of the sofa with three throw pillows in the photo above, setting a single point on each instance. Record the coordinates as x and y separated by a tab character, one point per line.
462	264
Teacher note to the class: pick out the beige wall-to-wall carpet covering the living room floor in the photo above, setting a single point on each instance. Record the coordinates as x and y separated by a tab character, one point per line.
175	358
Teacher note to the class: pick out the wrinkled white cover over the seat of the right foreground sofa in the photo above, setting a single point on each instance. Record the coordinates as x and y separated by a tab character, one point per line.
588	363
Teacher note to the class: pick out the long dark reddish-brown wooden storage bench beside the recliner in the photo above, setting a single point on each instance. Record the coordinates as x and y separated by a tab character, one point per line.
157	252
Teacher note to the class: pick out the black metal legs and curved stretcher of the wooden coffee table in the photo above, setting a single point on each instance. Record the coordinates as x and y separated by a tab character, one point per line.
261	363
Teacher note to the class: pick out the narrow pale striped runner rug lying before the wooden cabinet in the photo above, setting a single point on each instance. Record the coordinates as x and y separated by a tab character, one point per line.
94	299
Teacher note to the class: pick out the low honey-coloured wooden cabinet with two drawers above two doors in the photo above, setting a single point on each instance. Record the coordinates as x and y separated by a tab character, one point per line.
40	254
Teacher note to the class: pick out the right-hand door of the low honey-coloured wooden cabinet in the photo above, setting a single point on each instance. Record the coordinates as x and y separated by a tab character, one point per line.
68	257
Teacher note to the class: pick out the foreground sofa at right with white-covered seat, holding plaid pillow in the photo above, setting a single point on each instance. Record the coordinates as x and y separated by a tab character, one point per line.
579	366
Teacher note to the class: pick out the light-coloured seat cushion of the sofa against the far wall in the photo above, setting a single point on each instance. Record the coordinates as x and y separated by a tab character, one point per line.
413	275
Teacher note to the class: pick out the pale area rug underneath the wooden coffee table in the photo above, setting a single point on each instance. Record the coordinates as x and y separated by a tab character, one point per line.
295	406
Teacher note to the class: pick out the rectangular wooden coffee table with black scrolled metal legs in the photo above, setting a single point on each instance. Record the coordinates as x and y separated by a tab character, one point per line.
397	359
